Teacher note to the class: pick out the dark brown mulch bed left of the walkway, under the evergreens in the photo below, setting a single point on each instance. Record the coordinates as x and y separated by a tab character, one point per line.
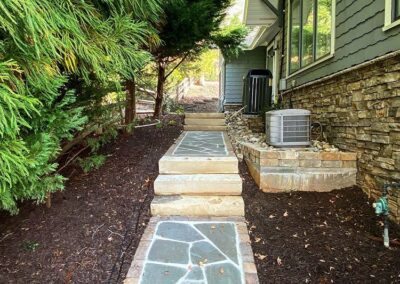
95	224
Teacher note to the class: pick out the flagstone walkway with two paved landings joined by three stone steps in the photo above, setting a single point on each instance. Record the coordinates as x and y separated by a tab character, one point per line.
199	235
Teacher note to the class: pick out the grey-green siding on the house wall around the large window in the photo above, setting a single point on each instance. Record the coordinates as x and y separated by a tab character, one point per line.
359	37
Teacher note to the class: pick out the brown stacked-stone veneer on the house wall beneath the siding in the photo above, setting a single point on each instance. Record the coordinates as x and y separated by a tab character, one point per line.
360	112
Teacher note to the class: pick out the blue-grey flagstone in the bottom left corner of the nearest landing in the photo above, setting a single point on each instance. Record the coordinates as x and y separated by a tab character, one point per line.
160	273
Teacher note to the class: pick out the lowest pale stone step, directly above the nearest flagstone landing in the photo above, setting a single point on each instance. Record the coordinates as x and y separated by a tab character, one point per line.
184	205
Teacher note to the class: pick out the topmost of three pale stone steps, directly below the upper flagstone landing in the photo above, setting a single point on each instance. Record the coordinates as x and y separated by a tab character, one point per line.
198	165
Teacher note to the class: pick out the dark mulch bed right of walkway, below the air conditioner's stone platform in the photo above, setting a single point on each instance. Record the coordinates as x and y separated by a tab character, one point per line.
318	237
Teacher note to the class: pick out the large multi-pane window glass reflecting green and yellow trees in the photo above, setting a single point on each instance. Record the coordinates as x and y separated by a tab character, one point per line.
310	27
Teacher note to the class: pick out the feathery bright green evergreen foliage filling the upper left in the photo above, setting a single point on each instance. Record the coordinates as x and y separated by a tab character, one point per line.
53	56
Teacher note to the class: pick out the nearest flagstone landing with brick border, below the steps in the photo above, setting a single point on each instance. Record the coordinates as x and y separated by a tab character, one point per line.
194	250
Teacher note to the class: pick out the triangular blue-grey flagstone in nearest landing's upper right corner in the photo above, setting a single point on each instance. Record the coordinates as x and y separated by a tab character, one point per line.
223	235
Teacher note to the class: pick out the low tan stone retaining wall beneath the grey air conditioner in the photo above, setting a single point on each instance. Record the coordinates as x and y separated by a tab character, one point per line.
285	170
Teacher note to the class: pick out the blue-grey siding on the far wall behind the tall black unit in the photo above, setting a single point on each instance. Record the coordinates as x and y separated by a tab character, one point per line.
236	69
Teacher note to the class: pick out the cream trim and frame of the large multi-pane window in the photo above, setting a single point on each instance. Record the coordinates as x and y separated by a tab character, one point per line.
288	43
